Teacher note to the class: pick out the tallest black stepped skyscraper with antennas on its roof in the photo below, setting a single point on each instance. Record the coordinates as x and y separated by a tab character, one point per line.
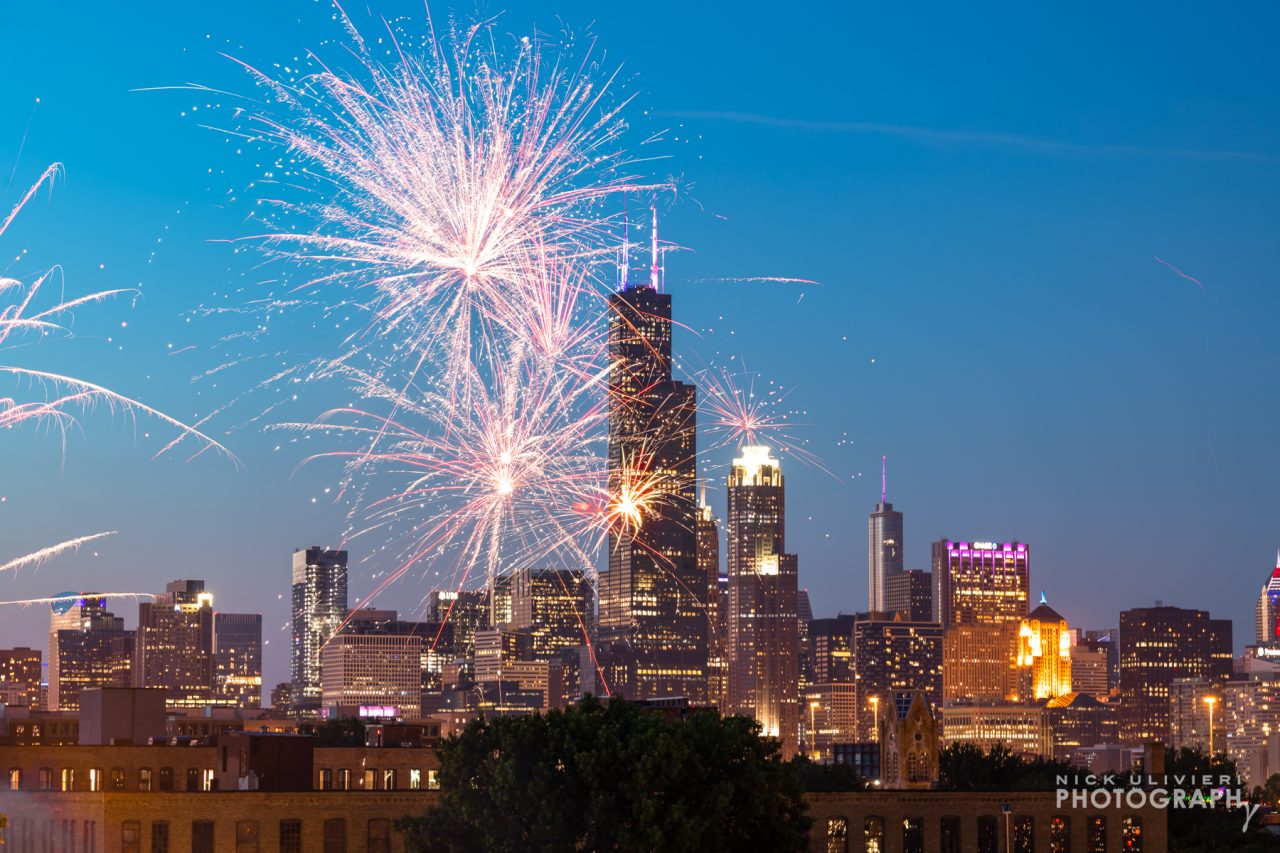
653	609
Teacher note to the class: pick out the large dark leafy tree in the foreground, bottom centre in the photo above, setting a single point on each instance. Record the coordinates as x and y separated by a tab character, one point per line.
612	777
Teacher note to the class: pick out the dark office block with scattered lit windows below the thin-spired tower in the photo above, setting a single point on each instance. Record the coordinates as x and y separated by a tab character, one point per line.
894	658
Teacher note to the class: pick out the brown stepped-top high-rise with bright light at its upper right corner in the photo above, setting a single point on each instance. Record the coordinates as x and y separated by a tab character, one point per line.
176	645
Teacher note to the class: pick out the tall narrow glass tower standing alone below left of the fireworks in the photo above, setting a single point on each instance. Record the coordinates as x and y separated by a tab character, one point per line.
319	599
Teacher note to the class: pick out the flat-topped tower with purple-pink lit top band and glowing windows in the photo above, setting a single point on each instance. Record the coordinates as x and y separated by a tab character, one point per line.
980	582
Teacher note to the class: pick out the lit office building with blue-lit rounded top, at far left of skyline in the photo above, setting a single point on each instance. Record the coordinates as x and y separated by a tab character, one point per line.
88	649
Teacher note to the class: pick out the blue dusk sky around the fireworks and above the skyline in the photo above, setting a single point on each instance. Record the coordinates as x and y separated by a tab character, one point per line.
980	191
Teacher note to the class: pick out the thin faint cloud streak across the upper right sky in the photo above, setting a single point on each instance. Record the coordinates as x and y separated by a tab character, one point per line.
957	138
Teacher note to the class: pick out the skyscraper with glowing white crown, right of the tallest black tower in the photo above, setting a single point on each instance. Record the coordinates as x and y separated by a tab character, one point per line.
764	626
